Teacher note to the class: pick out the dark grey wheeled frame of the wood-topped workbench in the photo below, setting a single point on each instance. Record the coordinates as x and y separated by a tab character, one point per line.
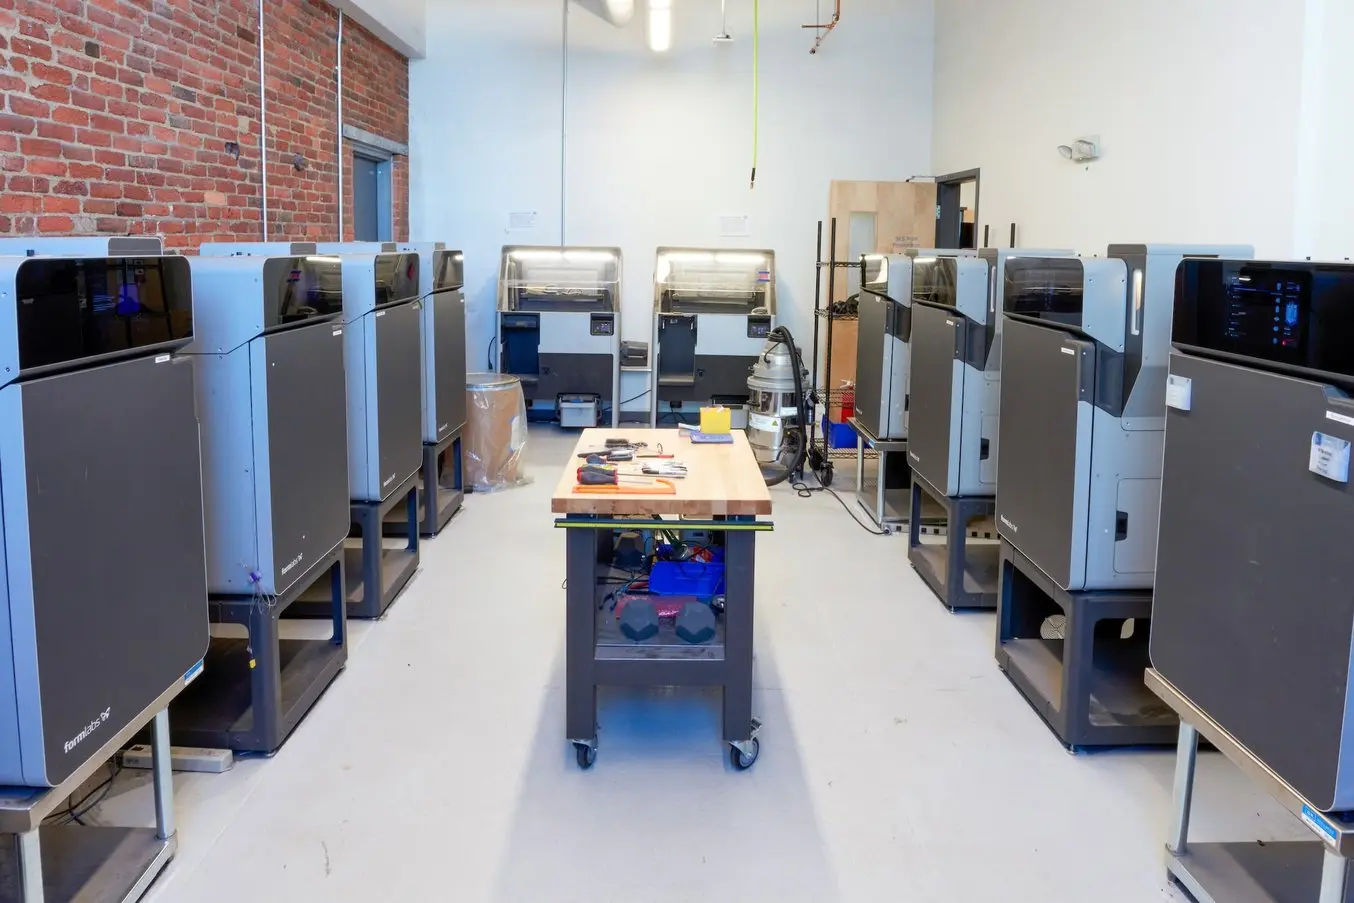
587	669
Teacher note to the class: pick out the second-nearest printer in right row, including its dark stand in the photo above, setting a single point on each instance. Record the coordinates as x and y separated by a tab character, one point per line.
1083	415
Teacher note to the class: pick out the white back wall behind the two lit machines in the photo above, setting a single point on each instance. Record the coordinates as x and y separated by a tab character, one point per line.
659	147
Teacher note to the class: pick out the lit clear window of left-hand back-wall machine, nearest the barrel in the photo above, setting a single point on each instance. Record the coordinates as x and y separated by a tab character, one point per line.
545	280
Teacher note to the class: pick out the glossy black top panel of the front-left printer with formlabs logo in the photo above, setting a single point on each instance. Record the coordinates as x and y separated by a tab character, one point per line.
81	308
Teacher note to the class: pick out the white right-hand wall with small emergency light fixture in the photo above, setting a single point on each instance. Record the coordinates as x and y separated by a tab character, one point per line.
1196	104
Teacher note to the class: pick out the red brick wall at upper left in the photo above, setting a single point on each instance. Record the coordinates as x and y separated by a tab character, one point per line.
143	117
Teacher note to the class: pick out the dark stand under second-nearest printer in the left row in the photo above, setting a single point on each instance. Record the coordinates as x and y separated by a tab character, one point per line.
255	692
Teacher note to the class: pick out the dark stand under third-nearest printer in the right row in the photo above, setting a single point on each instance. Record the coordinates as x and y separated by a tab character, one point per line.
958	581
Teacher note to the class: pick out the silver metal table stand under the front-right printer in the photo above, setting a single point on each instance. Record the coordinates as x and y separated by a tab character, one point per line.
1252	873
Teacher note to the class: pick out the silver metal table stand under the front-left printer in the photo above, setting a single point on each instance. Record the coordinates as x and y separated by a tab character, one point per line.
75	864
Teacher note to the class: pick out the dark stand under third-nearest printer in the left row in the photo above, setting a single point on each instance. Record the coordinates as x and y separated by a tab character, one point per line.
369	564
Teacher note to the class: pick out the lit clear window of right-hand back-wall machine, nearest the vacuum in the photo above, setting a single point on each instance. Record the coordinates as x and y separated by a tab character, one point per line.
716	282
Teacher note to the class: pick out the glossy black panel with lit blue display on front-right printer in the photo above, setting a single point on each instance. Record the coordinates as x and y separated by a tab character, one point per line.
1294	315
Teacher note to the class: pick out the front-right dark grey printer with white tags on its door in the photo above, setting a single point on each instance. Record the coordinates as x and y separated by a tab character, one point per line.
1252	619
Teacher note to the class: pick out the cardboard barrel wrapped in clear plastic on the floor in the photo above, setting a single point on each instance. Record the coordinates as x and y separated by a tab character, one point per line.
496	431
